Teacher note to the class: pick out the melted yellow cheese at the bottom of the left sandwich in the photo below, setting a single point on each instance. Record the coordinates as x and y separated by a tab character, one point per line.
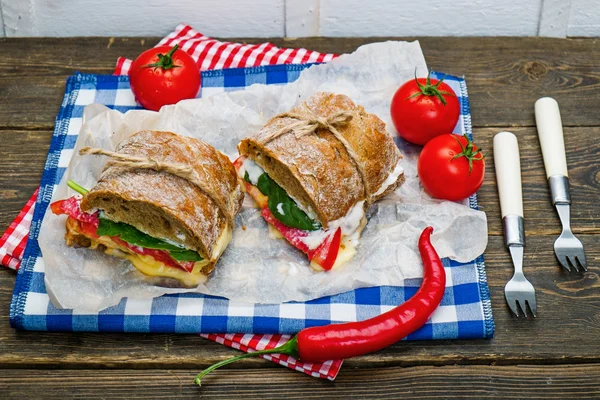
148	265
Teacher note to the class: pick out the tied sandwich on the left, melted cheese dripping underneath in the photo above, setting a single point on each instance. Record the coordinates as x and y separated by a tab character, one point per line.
164	202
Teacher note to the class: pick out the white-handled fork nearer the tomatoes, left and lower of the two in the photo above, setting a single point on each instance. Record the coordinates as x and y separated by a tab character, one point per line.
518	291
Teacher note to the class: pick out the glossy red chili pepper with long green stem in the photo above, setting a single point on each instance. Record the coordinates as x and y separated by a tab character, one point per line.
337	341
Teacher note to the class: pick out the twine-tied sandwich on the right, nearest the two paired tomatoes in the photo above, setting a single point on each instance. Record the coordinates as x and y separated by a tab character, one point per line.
315	170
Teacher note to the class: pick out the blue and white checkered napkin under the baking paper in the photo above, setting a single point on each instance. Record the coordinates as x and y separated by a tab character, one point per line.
465	311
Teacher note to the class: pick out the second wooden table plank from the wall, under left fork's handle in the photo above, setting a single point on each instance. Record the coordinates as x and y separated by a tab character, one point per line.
23	155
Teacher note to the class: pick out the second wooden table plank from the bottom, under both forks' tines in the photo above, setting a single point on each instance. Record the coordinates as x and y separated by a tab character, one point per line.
565	331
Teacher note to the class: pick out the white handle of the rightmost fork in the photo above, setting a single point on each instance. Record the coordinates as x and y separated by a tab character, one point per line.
549	125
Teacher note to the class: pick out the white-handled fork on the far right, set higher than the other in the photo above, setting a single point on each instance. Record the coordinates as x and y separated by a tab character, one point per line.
567	248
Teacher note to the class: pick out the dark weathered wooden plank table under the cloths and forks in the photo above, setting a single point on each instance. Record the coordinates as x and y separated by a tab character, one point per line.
557	354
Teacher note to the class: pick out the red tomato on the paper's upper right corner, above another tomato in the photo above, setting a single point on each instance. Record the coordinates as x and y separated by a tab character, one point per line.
423	109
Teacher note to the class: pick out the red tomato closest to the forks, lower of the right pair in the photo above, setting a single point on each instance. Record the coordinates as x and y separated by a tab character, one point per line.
451	167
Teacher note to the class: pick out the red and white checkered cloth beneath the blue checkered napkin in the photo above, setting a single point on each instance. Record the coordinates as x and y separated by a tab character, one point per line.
209	54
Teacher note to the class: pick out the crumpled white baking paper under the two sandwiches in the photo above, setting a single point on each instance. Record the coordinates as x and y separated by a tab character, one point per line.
255	267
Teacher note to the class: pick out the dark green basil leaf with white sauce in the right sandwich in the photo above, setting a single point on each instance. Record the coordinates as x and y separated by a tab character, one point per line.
283	207
